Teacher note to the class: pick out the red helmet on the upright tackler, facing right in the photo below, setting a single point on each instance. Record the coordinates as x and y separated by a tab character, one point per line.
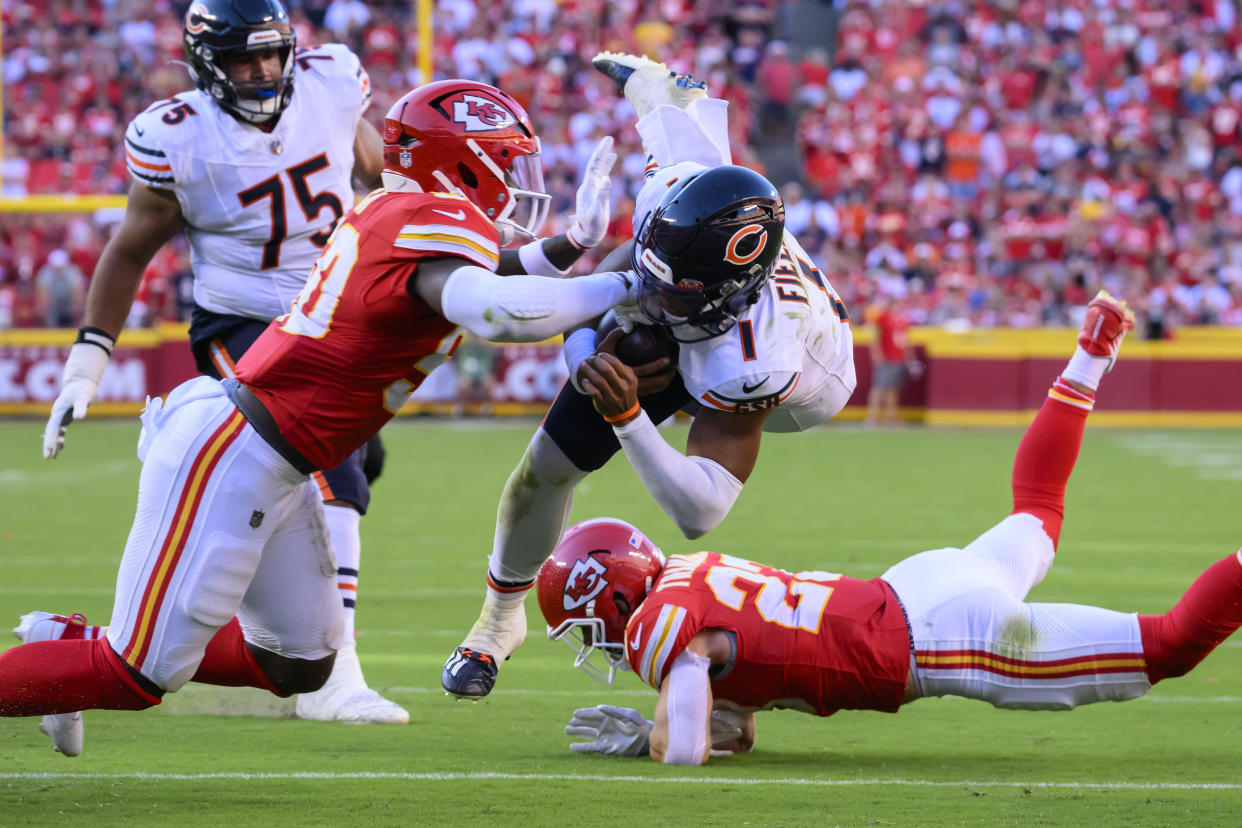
474	140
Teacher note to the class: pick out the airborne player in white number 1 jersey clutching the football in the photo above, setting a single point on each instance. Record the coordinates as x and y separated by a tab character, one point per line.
764	346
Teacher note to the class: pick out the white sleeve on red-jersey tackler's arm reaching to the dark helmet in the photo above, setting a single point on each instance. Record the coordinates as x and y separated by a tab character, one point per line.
527	308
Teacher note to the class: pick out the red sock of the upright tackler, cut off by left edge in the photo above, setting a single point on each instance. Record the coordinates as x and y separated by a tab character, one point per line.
49	677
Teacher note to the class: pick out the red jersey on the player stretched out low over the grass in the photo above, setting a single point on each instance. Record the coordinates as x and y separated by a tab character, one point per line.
815	642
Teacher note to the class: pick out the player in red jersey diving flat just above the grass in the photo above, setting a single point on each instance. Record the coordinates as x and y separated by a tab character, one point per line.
721	637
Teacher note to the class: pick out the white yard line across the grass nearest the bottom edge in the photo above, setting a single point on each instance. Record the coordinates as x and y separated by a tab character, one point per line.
645	780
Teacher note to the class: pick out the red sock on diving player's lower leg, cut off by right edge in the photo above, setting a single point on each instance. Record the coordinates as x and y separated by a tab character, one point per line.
1209	614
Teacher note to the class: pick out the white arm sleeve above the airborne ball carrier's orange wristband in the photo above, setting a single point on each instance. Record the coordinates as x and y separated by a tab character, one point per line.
696	492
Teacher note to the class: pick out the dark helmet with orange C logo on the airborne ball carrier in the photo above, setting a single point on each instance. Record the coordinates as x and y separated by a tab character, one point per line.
707	250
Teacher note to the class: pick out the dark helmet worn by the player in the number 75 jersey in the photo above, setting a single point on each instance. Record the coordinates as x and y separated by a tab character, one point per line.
215	29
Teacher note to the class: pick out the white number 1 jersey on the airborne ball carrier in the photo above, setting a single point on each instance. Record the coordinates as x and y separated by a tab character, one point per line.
791	352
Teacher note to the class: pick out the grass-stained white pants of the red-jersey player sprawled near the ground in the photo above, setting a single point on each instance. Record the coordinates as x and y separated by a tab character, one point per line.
974	636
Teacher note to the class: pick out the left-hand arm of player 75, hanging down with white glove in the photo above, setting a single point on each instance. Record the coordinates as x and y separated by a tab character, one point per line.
152	219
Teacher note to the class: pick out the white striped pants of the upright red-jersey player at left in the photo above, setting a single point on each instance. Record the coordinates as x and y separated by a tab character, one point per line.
224	527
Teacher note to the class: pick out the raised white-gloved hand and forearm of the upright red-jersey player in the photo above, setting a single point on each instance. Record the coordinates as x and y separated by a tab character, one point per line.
557	255
